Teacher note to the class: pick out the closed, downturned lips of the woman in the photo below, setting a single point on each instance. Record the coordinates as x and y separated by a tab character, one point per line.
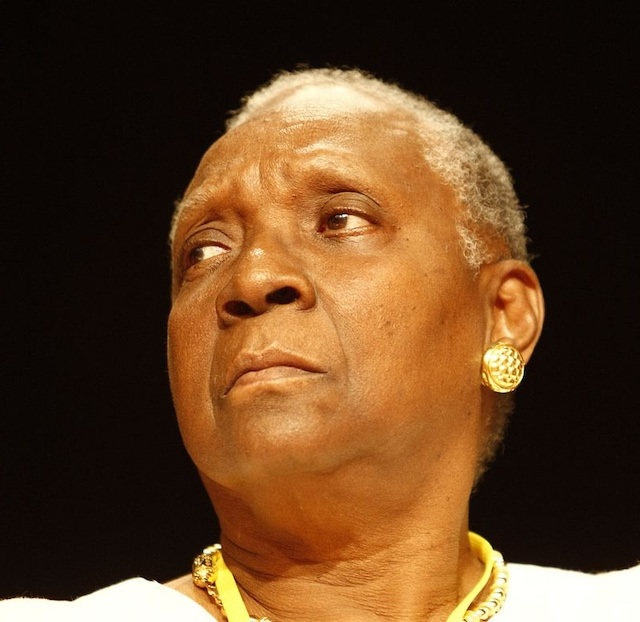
266	366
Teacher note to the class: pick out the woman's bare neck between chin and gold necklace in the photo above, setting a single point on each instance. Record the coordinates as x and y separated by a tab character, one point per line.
377	554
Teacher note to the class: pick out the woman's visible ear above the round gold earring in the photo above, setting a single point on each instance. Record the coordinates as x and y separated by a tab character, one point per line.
514	305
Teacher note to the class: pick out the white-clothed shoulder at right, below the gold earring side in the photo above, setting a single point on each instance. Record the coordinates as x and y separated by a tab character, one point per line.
550	594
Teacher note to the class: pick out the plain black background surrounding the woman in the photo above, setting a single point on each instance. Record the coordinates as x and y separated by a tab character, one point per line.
107	108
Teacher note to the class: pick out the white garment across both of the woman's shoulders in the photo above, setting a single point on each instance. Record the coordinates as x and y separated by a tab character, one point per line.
536	594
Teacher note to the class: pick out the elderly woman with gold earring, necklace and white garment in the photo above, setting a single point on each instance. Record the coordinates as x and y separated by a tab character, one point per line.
352	309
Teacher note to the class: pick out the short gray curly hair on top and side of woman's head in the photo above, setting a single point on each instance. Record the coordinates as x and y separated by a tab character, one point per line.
478	178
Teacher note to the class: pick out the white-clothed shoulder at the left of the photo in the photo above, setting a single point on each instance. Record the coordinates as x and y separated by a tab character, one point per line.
128	601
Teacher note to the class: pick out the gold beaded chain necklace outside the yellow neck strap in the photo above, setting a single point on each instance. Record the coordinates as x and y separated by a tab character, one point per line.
204	575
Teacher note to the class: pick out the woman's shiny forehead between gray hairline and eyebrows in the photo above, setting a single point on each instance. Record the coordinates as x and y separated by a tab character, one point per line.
309	134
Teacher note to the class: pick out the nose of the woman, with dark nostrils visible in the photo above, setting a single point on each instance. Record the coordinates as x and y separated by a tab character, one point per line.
265	276
